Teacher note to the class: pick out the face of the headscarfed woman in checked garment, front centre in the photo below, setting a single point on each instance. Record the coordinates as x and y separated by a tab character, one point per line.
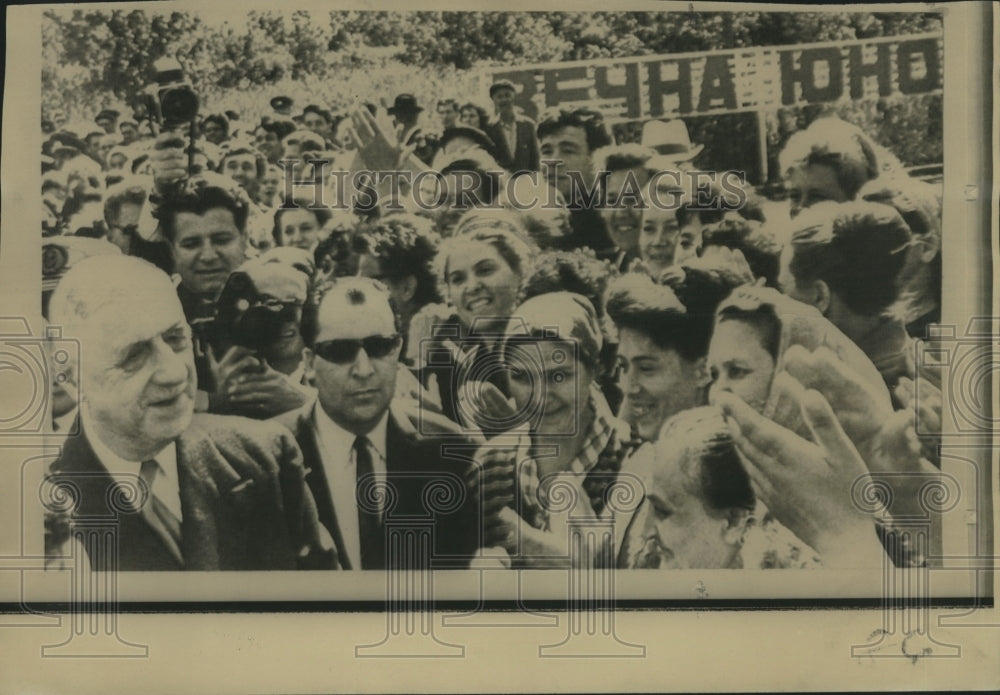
549	384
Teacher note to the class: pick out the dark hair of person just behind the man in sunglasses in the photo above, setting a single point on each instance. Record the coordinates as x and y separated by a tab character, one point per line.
404	247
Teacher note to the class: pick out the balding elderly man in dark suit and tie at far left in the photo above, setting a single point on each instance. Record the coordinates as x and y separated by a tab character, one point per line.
187	492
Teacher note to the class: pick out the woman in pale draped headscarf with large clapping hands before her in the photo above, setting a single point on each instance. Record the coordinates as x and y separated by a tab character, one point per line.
771	359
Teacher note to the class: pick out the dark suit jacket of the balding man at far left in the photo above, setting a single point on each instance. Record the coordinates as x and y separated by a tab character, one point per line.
244	503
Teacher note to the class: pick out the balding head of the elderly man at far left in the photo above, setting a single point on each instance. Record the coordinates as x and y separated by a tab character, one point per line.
136	373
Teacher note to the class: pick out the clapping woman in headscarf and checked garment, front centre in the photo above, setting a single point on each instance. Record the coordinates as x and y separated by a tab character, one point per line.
563	449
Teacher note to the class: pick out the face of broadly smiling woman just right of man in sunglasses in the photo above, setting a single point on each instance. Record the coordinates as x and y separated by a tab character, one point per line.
480	284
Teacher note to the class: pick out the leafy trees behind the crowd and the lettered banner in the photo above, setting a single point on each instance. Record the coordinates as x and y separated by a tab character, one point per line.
96	58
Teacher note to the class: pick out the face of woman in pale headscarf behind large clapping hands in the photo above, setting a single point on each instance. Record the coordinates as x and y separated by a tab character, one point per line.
739	363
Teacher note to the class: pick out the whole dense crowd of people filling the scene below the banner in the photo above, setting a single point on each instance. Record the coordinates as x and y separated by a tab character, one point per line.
289	355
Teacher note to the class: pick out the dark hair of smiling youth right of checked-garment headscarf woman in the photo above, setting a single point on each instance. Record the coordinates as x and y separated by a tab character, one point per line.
636	303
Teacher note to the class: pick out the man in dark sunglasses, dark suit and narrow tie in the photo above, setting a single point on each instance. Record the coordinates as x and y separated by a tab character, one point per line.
375	462
